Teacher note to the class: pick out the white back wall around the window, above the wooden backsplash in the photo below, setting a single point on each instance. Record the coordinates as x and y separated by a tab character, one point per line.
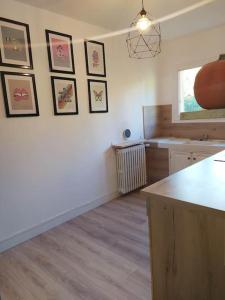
186	52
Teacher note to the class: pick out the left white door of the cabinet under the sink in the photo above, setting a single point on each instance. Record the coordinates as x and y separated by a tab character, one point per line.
179	160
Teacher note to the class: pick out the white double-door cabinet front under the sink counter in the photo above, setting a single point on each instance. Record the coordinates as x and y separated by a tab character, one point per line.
178	160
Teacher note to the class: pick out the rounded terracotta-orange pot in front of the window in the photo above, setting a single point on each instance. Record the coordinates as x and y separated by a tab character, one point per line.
209	87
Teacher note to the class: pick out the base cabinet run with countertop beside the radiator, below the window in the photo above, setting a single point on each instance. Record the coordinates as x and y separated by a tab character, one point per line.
165	156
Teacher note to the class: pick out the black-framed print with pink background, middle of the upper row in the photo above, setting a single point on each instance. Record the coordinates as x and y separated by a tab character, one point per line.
60	52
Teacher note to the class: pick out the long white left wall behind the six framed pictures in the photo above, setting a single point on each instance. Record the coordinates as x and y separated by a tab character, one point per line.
50	164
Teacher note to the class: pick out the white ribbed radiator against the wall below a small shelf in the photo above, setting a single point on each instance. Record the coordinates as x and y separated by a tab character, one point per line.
131	168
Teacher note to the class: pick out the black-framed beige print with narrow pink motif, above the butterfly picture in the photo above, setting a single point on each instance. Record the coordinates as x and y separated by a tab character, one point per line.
95	58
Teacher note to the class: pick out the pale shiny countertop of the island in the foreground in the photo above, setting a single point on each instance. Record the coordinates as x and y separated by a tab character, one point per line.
202	184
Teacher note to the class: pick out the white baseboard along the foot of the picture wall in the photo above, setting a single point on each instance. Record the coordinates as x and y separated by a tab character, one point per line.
25	235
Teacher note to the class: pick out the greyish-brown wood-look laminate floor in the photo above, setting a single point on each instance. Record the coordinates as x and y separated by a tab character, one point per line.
101	255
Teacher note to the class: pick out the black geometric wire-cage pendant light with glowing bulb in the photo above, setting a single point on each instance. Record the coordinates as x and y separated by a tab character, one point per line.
144	38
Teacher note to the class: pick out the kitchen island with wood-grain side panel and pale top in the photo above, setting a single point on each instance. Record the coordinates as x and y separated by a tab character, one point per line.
187	232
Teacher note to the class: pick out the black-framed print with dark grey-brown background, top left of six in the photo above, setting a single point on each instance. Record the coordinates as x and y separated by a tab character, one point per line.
15	44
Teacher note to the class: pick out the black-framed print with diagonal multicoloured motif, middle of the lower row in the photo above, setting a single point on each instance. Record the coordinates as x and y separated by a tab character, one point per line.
64	91
